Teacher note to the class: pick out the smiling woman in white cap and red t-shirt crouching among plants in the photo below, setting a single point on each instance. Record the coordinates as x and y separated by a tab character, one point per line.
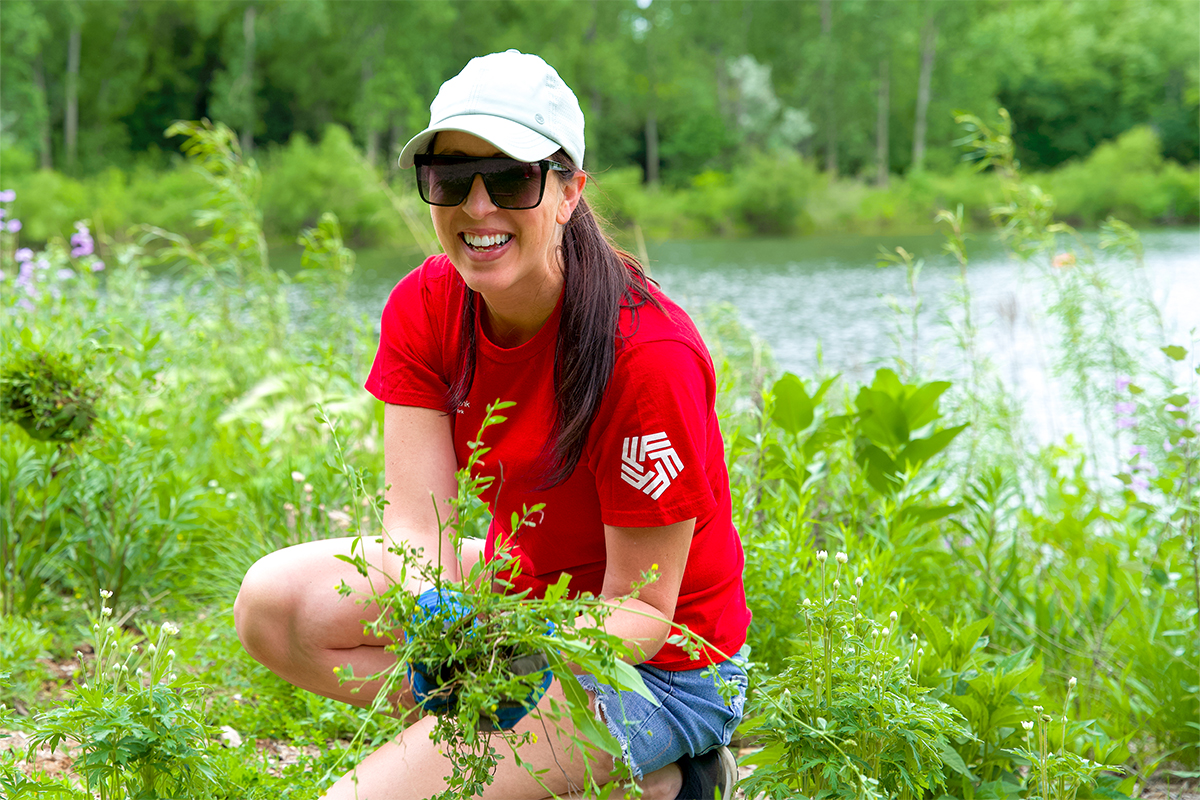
614	430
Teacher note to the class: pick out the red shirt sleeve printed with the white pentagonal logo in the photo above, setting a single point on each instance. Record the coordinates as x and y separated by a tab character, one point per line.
649	447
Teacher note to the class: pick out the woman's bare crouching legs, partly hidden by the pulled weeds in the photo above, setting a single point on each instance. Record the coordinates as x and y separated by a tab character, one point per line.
291	617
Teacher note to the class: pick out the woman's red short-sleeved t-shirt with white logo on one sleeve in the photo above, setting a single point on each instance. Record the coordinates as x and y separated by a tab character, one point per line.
653	455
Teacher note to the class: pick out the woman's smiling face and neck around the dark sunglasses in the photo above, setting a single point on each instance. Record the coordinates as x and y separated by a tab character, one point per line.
511	258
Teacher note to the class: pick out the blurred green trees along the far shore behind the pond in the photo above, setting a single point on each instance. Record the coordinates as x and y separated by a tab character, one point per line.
680	95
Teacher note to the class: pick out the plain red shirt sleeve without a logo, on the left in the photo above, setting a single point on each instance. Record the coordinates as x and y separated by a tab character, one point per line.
410	368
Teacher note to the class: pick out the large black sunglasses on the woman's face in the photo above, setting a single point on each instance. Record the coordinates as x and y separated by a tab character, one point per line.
512	184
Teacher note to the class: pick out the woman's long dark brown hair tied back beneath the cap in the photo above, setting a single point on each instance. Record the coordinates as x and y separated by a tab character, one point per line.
601	280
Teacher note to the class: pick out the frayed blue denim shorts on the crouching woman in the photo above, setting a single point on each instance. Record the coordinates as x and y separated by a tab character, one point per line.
691	719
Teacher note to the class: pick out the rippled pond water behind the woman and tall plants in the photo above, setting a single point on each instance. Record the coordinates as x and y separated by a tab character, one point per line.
820	303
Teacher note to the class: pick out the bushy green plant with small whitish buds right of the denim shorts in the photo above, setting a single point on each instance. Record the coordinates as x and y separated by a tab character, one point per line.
847	718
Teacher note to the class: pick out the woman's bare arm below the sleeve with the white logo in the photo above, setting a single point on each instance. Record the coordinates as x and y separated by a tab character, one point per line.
645	622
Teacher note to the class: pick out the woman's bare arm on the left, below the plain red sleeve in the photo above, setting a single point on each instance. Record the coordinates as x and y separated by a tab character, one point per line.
419	470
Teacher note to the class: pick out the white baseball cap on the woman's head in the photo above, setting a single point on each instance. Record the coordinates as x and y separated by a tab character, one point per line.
512	100
